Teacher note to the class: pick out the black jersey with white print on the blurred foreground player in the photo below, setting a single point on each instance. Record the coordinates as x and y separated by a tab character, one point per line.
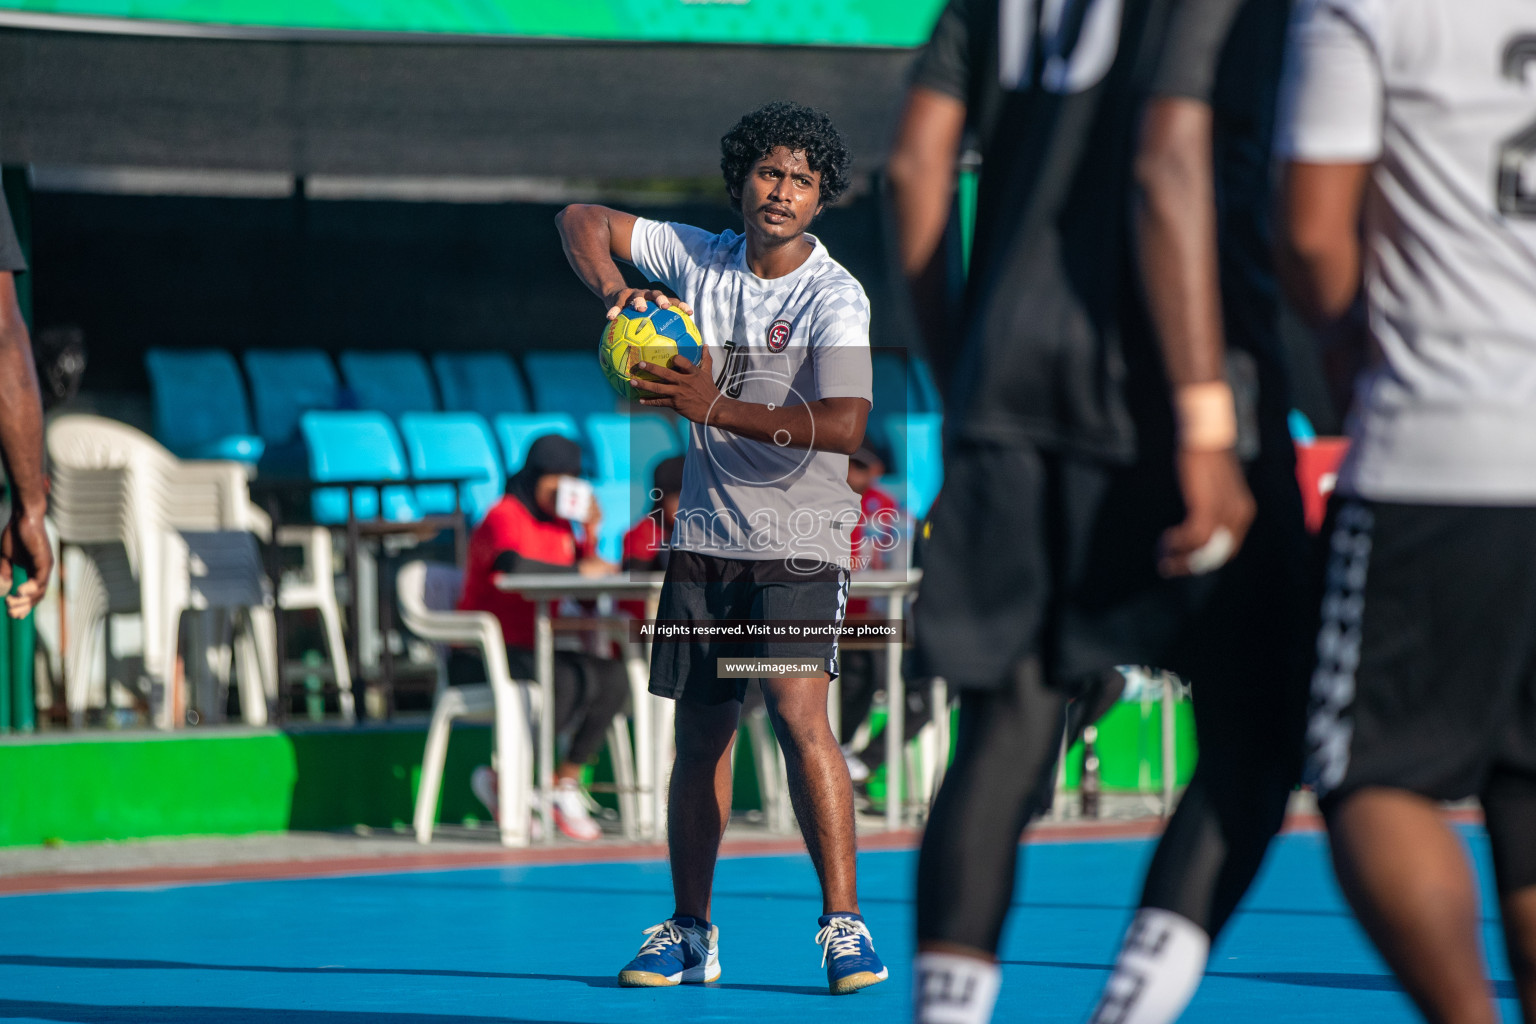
1054	345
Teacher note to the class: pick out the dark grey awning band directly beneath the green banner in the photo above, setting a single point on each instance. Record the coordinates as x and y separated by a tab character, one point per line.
420	108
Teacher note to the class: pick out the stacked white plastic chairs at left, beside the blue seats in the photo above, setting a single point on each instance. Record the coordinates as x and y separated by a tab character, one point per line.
162	537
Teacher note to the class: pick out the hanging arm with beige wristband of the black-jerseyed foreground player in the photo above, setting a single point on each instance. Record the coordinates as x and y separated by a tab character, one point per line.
1177	243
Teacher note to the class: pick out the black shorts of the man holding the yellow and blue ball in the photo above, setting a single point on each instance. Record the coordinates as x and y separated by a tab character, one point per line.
706	587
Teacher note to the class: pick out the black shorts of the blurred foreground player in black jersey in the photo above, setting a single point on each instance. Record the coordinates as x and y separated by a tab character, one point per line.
1044	555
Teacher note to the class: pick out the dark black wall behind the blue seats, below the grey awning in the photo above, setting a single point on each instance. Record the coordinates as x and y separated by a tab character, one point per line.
137	273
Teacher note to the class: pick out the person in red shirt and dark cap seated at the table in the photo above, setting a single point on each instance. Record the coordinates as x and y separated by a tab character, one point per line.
523	533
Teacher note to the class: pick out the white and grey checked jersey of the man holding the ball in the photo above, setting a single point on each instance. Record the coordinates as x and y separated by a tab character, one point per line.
783	342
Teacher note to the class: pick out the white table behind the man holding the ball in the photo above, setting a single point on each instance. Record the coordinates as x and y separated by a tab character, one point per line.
549	589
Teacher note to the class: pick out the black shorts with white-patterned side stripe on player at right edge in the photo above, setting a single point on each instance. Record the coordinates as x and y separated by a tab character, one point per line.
1426	676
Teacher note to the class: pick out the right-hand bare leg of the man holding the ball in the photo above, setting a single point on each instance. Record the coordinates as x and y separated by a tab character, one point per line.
819	788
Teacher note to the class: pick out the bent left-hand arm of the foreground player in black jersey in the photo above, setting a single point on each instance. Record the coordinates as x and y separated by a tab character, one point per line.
921	179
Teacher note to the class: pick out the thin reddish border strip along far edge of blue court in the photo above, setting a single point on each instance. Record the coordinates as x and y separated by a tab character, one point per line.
564	854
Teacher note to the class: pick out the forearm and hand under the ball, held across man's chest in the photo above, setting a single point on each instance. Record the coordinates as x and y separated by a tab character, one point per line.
827	424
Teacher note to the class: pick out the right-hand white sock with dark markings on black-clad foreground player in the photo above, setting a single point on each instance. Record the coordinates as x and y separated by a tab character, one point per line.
1159	971
